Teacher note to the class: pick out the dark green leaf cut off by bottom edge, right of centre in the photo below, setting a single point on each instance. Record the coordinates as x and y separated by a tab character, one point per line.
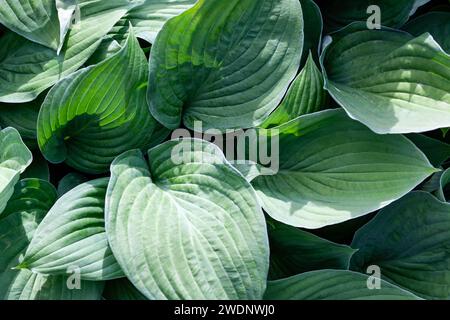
333	285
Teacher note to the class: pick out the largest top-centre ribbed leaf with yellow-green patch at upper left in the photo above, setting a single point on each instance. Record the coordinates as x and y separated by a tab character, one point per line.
225	63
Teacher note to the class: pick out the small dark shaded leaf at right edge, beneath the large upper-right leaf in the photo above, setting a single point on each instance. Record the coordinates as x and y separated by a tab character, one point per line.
435	150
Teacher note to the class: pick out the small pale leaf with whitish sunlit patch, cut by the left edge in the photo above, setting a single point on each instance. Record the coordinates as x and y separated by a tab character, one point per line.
14	159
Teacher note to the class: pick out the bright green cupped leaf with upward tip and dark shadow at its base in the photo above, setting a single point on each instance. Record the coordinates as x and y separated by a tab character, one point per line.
97	113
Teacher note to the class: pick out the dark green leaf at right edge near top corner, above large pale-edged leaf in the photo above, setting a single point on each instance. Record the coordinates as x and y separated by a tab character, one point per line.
435	23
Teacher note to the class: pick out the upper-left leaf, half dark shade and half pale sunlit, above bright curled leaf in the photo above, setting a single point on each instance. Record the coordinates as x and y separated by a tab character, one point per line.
27	68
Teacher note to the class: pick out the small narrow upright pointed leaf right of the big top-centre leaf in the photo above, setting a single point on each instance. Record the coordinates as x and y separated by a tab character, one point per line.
305	95
